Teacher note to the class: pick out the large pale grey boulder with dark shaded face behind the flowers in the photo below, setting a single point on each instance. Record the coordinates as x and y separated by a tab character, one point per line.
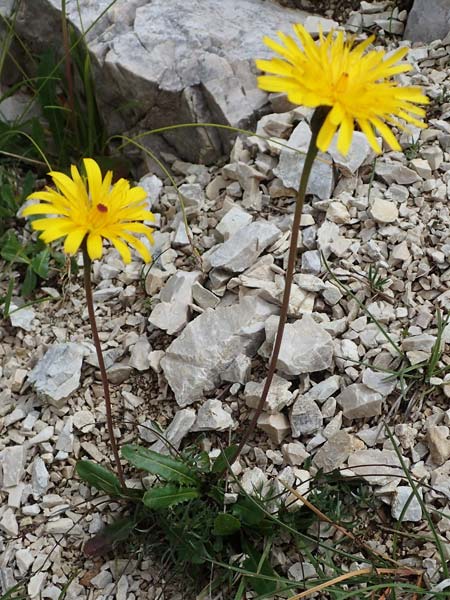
178	62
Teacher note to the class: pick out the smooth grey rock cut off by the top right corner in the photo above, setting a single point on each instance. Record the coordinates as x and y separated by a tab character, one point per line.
428	20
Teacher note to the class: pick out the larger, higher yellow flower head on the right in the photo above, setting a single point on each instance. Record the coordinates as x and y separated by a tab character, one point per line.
356	85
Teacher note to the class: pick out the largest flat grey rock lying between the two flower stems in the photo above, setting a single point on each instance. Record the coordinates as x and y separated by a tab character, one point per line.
194	361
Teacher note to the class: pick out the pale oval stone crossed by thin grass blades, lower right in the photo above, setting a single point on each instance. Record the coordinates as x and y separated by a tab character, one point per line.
377	467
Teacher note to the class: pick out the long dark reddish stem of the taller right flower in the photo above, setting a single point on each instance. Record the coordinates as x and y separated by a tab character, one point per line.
311	154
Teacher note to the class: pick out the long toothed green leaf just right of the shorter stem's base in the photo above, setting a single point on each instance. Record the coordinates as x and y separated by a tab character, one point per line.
166	467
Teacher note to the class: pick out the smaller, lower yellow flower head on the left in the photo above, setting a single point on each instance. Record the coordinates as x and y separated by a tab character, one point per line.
92	210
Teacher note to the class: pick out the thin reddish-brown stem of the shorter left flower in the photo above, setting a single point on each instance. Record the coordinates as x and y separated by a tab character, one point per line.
101	362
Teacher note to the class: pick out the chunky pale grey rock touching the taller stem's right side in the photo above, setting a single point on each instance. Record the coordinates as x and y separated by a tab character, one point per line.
306	347
